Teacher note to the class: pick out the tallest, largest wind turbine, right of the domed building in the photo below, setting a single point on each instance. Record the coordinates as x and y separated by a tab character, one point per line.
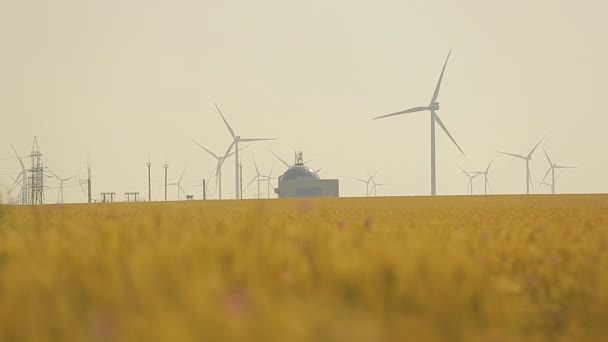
433	107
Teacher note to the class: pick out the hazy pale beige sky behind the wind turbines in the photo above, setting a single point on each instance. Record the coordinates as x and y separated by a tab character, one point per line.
123	79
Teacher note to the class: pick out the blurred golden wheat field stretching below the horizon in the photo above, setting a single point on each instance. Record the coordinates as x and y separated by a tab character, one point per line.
496	268
